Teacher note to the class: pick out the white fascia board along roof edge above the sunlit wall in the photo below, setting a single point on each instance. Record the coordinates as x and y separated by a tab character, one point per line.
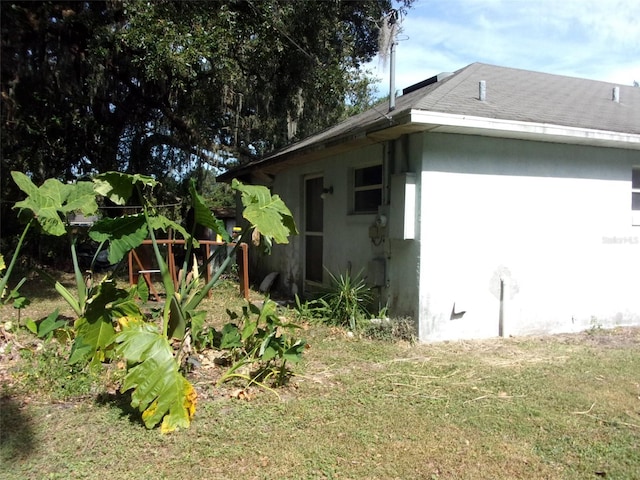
495	127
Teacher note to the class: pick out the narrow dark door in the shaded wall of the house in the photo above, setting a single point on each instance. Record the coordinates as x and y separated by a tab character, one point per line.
313	227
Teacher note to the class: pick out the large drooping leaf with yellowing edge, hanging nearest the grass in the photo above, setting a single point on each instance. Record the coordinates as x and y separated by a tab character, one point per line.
160	391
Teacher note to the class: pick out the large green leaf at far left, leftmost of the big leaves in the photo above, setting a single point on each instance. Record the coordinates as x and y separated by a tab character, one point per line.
50	202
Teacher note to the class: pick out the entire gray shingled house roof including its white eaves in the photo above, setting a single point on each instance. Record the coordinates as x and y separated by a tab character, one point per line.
518	104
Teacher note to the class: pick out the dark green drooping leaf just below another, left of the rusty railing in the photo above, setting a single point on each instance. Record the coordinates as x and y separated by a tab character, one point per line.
123	234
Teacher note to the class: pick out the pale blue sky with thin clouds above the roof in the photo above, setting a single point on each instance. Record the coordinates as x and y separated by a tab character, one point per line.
594	39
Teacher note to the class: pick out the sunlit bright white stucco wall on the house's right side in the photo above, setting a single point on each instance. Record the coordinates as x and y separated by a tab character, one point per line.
553	219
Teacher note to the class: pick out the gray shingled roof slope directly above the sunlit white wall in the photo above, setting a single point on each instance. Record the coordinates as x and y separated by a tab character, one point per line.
521	95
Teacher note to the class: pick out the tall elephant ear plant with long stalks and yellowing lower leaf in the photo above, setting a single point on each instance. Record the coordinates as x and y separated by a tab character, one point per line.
158	387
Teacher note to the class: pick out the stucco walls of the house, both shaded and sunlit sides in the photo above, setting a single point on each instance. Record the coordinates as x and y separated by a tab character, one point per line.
552	220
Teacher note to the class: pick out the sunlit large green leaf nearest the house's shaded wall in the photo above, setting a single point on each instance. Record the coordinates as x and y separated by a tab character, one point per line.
266	212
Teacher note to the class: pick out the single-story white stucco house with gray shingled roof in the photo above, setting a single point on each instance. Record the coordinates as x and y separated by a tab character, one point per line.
489	201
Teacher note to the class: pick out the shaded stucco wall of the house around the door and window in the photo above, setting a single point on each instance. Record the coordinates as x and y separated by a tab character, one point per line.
346	236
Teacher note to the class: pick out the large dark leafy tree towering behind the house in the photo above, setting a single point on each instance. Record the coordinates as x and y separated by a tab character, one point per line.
162	87
